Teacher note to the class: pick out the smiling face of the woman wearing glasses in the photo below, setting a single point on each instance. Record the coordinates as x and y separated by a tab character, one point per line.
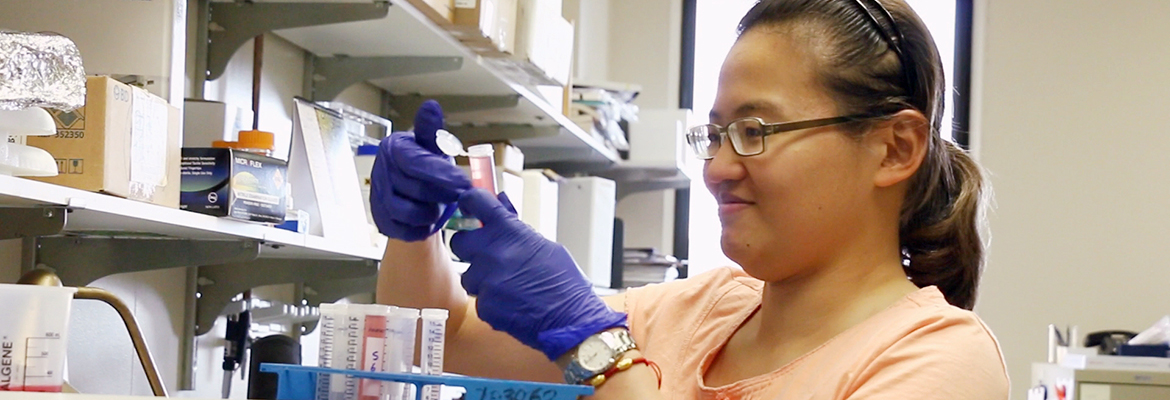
809	196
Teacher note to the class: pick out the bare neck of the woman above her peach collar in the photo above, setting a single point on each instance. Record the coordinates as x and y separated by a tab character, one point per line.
814	308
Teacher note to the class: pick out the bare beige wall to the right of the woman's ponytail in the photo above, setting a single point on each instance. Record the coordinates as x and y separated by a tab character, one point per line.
1072	122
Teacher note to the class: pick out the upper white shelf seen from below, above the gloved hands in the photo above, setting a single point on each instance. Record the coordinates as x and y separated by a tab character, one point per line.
408	32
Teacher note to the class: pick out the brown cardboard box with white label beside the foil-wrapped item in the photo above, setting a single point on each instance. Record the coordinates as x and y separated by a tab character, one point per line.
125	142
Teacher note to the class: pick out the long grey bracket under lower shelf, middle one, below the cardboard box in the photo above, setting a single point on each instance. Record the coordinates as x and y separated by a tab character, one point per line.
82	260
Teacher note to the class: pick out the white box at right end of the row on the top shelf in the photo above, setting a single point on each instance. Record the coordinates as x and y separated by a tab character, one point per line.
545	39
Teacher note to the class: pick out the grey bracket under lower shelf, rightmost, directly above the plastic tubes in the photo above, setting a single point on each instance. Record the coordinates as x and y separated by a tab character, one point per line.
219	284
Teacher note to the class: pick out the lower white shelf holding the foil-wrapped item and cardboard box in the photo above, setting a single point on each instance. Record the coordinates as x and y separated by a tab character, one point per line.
106	216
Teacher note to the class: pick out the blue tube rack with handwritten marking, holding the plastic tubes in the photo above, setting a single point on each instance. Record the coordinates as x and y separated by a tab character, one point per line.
300	383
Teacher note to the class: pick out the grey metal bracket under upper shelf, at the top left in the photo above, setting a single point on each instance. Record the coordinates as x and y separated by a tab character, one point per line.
233	24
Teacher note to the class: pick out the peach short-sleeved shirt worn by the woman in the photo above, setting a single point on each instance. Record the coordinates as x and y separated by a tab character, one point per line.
920	348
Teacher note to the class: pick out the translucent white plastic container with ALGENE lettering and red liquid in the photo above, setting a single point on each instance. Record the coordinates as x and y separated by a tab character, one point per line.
33	337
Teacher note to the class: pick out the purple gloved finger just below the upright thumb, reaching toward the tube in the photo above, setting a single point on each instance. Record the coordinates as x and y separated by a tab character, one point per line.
422	164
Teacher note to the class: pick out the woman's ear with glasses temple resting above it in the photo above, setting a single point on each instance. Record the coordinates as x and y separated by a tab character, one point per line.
903	143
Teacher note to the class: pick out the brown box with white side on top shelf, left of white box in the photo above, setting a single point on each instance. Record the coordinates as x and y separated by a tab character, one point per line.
486	26
